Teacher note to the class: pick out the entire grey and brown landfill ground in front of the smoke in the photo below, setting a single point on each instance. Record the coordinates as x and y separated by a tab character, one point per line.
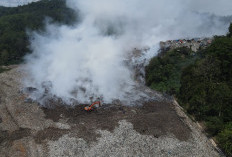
158	128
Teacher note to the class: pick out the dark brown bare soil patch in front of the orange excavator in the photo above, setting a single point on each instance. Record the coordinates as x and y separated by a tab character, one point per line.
151	118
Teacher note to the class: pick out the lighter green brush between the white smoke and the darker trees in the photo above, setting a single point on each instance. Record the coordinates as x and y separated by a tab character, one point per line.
164	72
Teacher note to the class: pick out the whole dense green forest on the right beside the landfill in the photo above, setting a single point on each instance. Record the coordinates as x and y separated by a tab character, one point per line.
202	84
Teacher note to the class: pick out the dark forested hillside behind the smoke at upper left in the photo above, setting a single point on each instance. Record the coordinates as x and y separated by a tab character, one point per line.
15	22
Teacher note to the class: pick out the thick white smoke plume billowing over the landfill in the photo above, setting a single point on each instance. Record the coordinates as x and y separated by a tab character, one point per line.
92	58
